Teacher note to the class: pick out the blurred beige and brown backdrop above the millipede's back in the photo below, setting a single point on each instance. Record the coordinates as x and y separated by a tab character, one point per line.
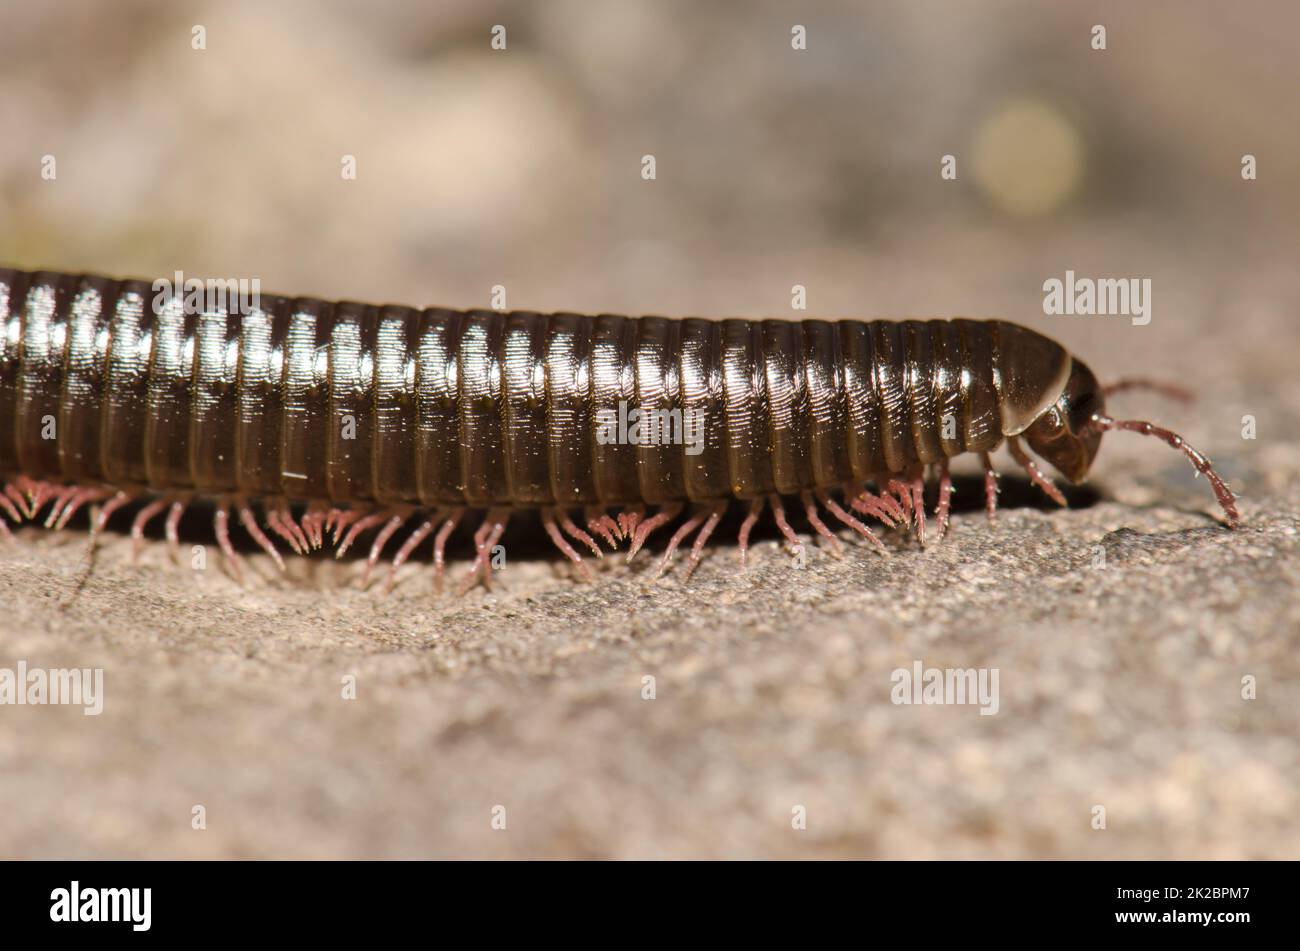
774	167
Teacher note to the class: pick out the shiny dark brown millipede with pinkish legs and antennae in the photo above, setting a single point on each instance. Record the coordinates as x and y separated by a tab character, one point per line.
343	419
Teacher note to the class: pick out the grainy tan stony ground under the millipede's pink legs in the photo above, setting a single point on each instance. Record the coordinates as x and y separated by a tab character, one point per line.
1120	687
